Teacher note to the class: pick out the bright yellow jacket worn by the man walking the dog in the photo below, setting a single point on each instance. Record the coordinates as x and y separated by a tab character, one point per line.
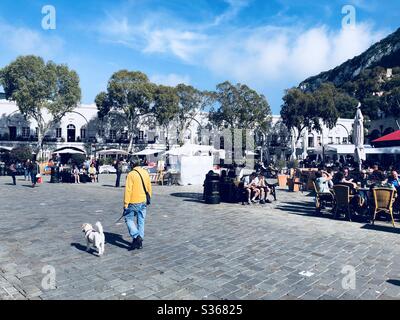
134	192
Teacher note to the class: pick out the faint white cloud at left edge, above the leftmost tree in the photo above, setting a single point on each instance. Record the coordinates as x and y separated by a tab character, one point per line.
24	41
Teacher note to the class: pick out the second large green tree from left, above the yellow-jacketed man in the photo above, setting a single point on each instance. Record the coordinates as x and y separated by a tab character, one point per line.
131	93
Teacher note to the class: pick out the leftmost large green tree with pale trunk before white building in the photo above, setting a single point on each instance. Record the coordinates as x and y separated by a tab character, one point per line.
44	92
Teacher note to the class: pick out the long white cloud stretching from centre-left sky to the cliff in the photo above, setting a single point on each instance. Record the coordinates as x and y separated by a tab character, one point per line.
257	55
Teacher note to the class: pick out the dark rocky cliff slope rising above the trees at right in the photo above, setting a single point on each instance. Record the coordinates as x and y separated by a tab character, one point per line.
385	53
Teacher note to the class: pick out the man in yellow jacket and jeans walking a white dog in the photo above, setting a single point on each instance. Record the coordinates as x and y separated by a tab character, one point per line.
135	204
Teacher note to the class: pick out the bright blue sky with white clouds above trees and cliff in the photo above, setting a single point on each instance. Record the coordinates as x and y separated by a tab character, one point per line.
271	45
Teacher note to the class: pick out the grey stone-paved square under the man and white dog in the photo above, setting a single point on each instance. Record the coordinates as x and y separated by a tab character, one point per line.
191	250
